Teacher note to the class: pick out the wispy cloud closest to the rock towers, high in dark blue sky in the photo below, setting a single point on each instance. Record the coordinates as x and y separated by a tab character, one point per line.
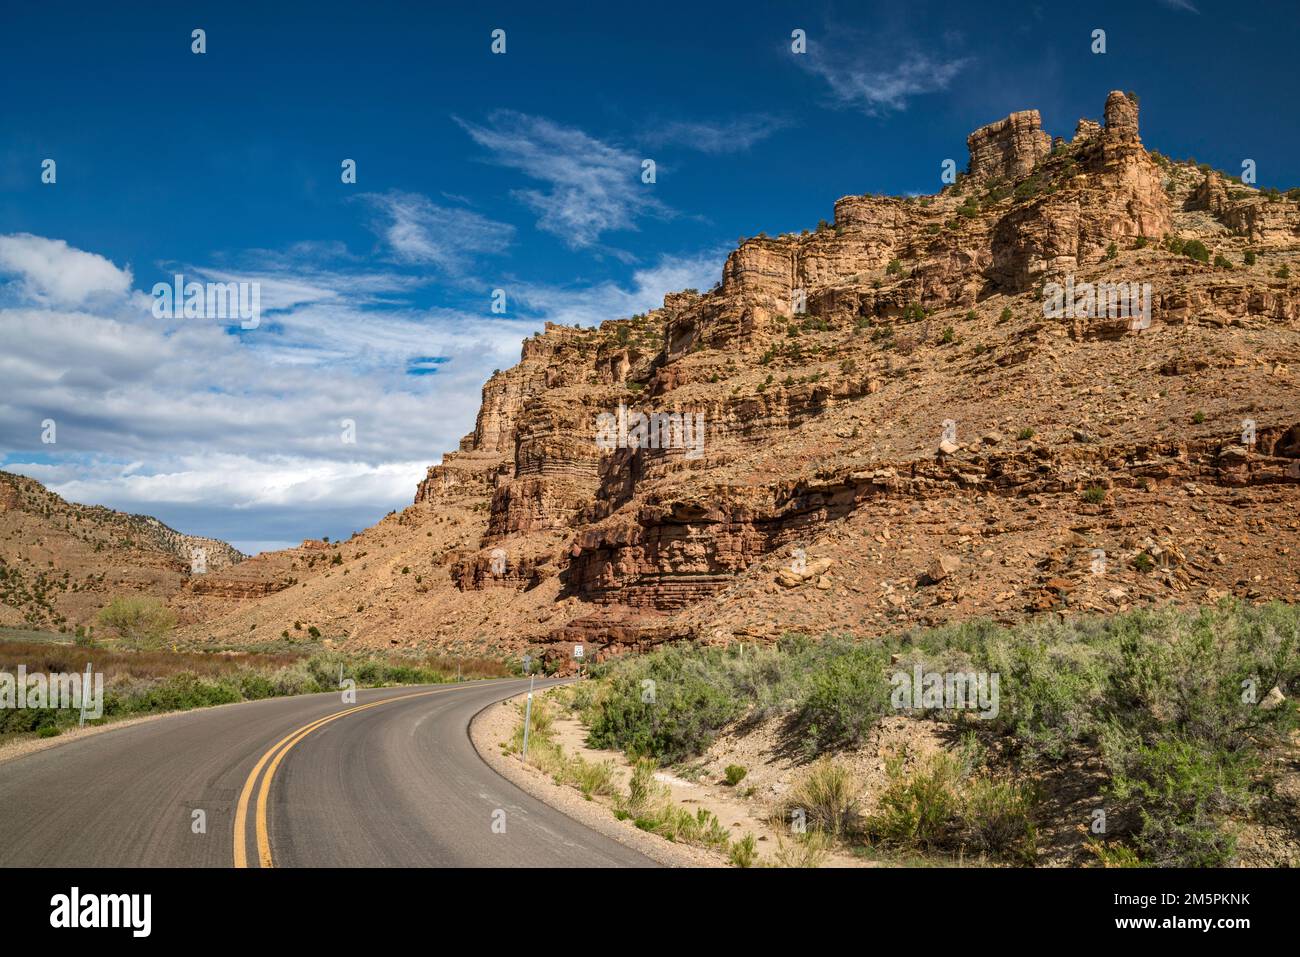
878	77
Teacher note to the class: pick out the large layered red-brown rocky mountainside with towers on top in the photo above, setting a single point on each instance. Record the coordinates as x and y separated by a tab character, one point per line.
879	425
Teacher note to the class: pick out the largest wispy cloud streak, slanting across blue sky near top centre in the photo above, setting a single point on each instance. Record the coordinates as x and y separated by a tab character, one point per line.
592	188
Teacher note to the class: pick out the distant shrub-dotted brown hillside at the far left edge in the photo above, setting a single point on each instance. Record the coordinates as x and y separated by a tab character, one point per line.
62	562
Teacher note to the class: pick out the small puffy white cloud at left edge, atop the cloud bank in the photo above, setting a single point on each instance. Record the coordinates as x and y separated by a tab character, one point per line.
54	272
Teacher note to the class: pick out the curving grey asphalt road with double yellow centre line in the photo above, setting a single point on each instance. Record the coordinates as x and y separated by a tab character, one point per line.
307	782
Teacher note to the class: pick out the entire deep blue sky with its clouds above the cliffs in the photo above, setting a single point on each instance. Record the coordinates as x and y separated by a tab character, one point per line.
479	172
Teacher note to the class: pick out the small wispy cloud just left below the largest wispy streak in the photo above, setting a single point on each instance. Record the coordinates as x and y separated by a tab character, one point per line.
419	232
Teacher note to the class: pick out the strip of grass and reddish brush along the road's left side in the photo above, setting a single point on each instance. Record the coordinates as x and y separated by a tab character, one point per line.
142	683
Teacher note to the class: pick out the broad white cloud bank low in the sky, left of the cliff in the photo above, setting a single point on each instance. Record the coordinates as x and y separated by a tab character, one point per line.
241	435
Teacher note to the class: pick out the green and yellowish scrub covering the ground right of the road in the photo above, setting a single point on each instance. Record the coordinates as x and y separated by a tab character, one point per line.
1188	718
